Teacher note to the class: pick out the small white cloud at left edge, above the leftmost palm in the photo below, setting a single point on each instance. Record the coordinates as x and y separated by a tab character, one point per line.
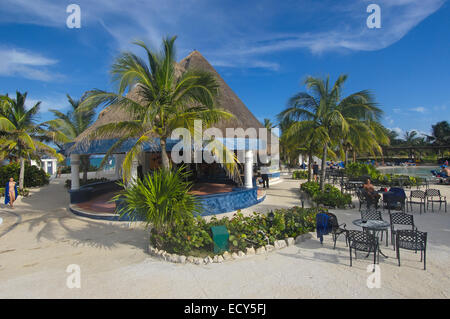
30	65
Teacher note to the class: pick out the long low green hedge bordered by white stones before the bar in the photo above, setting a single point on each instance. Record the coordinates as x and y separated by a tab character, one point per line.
193	236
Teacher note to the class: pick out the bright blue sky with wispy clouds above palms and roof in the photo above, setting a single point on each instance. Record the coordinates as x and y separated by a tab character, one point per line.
263	49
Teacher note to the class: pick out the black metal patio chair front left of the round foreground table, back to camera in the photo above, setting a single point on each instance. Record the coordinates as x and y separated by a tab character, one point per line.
363	241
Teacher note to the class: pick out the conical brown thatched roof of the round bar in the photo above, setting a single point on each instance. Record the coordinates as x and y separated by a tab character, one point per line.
227	100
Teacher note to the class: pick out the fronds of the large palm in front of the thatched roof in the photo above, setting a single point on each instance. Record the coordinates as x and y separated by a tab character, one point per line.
166	101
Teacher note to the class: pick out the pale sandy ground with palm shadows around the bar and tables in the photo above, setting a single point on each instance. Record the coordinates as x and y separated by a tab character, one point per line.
40	238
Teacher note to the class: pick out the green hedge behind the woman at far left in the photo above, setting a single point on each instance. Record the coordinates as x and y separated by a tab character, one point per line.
34	176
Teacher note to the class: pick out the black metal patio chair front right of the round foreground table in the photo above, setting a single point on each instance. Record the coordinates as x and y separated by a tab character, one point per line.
412	240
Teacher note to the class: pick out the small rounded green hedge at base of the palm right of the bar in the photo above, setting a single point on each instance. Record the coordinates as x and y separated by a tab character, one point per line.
330	197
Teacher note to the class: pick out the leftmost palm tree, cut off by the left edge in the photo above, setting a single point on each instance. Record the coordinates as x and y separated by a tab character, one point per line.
20	137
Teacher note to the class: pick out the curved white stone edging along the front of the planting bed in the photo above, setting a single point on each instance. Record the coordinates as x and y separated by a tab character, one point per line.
226	256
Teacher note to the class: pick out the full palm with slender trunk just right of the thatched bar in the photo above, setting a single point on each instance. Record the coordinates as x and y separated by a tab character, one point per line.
324	117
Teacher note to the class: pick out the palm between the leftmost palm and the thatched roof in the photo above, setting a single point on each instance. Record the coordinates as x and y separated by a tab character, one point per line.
66	127
